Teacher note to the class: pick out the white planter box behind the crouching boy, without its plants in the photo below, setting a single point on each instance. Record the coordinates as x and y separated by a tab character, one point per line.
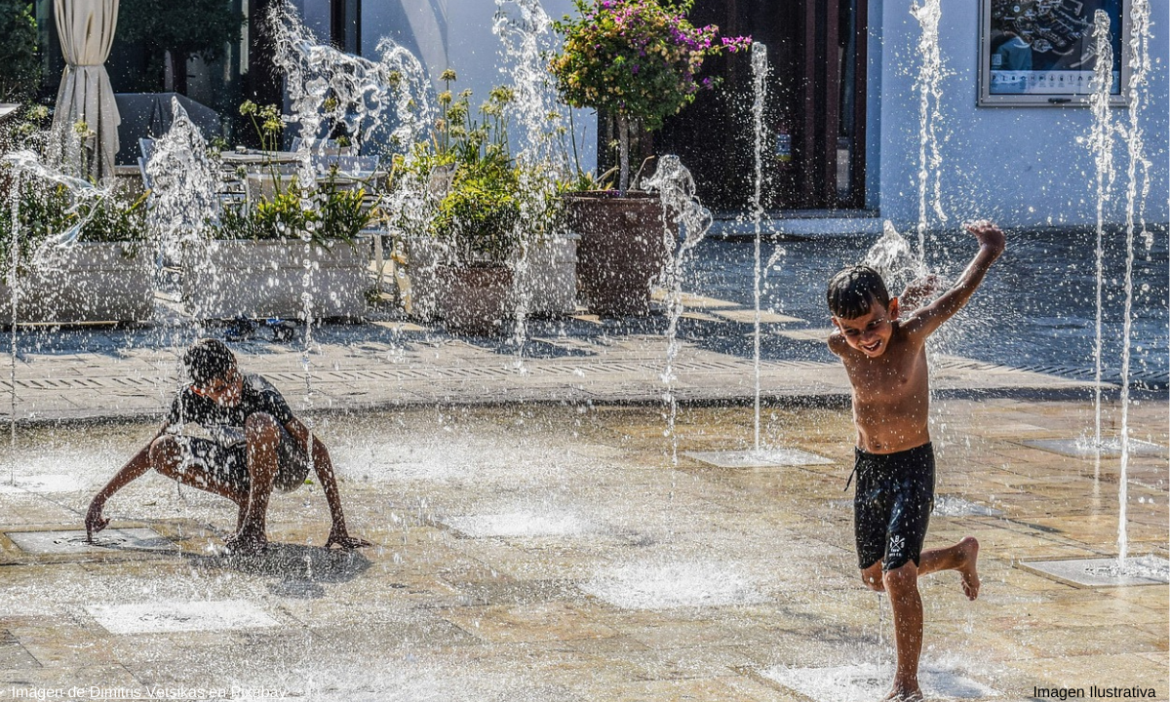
256	280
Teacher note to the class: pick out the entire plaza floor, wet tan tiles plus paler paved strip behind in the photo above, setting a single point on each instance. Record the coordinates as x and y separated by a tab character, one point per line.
541	535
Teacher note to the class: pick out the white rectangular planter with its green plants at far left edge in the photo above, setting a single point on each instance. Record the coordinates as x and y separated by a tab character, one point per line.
81	256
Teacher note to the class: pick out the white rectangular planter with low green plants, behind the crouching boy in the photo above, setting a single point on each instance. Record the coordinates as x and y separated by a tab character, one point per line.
297	254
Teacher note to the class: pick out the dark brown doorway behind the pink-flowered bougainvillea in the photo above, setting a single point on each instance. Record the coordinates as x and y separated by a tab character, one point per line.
815	116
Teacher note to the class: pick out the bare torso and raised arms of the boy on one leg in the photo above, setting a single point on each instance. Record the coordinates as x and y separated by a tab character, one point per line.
885	357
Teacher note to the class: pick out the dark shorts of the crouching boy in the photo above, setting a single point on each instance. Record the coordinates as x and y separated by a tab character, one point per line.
231	463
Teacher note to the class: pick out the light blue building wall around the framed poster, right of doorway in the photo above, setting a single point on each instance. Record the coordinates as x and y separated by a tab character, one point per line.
1021	167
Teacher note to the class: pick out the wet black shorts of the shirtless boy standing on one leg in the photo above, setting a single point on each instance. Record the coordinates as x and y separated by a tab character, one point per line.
892	506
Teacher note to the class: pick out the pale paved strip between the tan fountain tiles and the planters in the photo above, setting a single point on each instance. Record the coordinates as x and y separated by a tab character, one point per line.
121	374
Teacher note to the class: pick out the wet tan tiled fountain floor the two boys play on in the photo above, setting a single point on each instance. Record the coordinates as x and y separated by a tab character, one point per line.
556	553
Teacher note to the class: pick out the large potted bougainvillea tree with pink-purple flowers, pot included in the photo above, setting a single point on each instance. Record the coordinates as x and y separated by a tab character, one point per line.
638	61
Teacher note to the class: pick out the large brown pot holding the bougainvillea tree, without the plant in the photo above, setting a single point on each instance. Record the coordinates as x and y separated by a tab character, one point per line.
622	250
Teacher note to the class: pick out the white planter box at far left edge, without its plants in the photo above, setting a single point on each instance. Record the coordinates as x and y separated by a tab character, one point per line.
86	283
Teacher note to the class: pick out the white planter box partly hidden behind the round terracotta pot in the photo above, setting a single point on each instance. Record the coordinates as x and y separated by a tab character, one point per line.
550	284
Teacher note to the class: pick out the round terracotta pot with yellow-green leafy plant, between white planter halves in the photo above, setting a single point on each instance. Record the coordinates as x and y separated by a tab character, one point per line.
463	198
